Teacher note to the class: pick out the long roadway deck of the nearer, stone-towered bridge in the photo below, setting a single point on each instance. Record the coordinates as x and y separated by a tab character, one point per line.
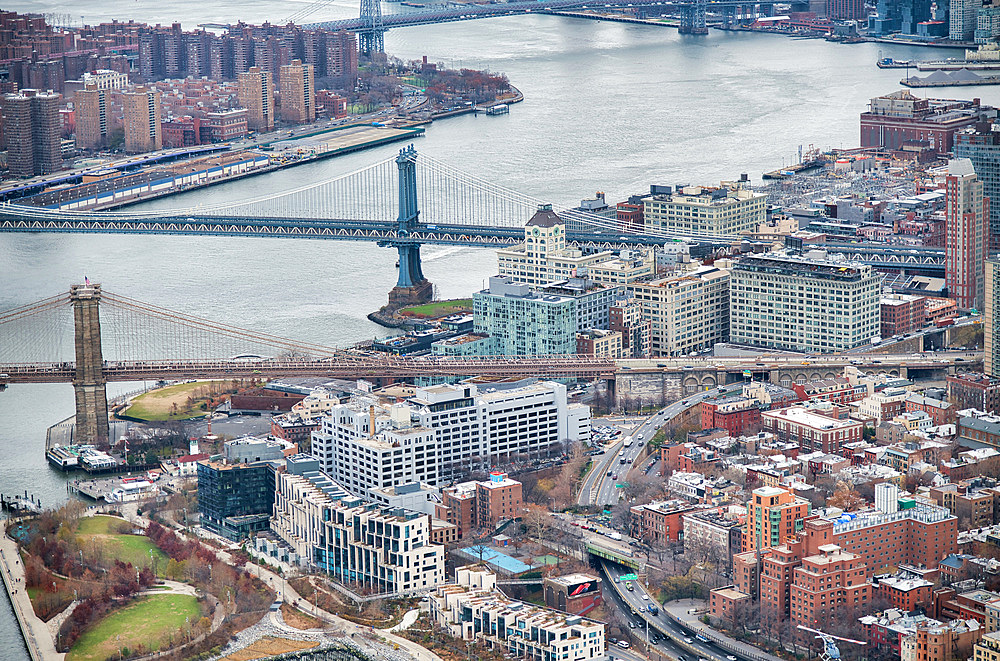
351	367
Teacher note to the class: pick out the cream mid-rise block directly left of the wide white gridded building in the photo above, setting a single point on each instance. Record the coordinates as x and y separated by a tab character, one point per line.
688	311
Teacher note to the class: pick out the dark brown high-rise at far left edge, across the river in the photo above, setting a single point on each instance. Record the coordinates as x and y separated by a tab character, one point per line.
32	131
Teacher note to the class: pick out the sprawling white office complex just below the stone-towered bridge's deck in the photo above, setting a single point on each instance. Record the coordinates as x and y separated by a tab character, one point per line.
443	432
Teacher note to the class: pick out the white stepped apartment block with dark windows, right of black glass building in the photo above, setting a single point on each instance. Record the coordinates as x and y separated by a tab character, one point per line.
362	544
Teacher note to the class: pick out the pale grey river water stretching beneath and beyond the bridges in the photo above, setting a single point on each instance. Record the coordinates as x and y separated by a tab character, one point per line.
609	107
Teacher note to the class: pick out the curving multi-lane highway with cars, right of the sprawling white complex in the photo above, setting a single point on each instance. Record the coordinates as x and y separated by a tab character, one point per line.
614	466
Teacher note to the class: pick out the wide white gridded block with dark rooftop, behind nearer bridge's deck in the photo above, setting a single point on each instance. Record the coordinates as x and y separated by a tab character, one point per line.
803	303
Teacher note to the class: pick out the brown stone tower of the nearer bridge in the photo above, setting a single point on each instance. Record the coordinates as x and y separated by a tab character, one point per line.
88	382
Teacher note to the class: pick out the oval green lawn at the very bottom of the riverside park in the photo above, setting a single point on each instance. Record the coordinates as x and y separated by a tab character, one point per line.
148	621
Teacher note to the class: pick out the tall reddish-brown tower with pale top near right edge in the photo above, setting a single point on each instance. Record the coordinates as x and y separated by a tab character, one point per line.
966	216
